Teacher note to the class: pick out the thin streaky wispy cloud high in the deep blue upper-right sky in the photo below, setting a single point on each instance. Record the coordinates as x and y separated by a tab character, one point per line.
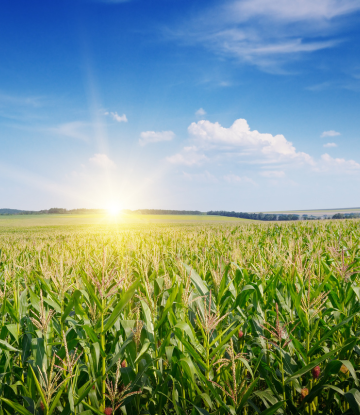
268	33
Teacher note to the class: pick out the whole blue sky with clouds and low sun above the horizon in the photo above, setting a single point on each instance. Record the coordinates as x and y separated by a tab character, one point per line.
245	105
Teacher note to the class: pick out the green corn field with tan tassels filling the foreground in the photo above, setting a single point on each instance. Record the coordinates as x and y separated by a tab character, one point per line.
211	319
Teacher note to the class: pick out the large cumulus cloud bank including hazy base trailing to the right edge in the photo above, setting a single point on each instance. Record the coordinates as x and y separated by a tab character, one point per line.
211	142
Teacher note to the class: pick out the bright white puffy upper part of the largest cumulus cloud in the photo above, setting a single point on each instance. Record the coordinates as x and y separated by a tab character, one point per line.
209	134
